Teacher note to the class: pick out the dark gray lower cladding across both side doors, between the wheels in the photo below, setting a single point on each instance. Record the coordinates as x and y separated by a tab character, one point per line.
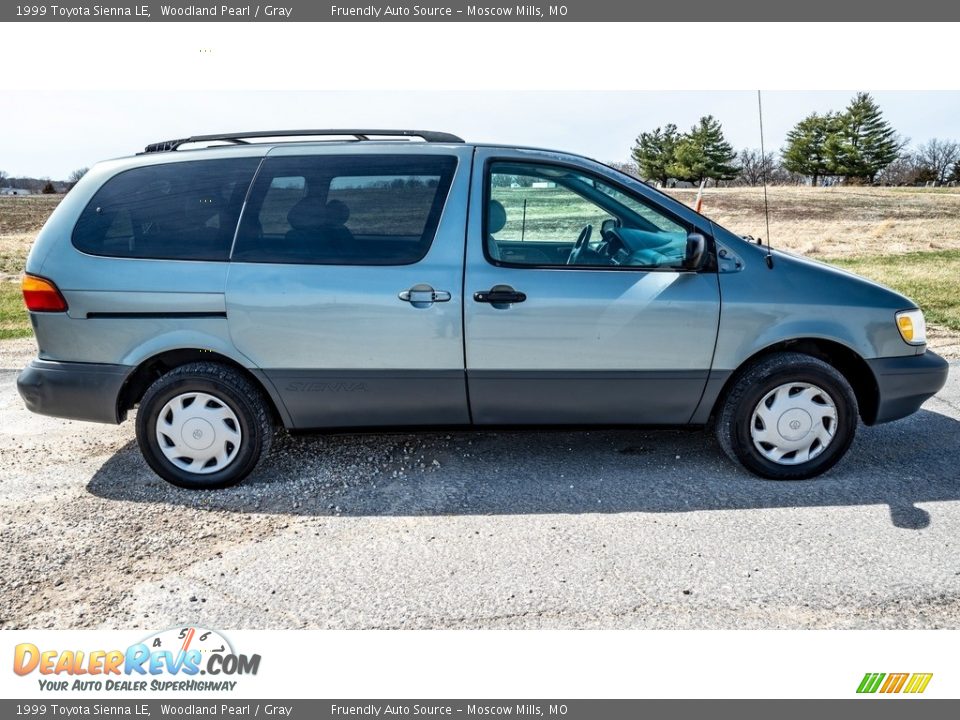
346	398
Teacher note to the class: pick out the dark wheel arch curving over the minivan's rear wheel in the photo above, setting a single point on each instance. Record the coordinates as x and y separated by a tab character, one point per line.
150	369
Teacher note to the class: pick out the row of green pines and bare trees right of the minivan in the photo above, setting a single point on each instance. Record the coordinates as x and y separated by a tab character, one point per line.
856	146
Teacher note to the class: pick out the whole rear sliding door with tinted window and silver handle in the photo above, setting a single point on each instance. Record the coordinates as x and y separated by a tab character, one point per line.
345	284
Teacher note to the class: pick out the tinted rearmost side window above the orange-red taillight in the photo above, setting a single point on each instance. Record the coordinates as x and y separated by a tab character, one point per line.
175	211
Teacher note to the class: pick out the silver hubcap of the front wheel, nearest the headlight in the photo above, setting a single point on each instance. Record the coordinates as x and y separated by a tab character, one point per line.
793	423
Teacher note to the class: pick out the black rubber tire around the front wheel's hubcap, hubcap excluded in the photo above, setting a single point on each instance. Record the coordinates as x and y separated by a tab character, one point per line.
735	413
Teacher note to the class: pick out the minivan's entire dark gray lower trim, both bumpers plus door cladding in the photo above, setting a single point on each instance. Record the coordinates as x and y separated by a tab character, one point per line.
343	398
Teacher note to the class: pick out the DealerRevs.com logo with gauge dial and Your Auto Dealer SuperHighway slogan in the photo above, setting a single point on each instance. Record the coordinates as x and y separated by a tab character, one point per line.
179	659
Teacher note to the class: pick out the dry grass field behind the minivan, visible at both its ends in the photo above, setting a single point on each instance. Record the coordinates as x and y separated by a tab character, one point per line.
907	238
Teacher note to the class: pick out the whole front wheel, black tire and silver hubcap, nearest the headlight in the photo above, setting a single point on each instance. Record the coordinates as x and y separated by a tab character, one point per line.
788	417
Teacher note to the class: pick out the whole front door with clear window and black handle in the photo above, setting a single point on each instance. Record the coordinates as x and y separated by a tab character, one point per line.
578	307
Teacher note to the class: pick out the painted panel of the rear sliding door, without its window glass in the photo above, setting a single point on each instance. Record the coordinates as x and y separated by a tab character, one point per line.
337	343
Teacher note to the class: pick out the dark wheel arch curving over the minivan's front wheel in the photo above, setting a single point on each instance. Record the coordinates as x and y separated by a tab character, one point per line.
846	360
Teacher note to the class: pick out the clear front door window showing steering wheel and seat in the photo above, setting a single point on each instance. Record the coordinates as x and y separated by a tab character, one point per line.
547	215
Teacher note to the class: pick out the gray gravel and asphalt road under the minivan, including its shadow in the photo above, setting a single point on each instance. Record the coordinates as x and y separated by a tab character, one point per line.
600	529
